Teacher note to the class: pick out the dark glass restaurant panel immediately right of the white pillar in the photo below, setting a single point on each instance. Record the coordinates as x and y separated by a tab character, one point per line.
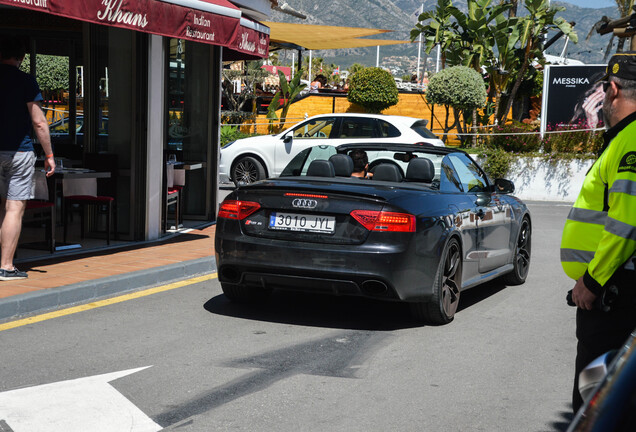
188	122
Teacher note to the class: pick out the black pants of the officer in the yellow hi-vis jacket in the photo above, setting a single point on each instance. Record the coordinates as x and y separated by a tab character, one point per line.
599	332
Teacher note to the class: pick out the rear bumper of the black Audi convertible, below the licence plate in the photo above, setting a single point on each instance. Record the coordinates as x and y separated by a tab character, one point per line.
385	272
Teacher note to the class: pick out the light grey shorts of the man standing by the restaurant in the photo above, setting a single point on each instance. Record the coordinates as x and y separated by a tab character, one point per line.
16	175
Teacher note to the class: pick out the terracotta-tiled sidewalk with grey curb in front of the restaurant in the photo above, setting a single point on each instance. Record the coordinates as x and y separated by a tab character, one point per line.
59	282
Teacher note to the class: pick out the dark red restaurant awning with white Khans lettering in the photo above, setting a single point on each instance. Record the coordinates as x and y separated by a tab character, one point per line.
216	22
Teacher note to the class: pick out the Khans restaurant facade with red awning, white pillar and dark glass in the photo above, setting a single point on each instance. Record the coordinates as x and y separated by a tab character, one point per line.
144	89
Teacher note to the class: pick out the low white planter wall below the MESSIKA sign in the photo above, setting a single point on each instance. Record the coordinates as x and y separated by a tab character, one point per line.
536	179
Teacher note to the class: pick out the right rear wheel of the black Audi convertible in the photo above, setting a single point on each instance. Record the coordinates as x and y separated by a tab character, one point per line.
446	289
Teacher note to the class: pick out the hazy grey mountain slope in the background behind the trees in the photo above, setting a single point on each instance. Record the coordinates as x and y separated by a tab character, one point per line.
395	15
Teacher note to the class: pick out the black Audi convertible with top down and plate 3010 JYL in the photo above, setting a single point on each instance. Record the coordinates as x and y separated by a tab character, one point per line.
424	224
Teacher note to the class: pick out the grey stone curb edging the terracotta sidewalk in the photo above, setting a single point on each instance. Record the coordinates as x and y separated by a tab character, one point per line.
54	298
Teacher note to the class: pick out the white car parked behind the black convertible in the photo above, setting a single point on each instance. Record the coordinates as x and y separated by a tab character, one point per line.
250	159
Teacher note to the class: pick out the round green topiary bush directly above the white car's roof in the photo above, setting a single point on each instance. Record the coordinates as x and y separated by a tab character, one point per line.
374	89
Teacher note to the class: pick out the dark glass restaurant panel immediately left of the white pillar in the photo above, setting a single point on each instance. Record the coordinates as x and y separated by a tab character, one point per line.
111	134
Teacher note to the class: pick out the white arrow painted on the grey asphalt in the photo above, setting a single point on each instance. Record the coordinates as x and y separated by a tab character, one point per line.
83	404
